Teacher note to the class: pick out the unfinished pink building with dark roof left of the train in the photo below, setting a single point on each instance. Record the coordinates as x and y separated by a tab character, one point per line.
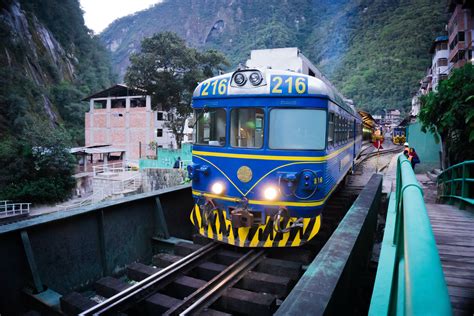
122	117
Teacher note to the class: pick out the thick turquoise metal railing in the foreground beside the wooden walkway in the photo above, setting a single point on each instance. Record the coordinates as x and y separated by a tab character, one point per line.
410	278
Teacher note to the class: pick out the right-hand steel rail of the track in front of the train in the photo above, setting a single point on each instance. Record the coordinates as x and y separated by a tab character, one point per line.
209	293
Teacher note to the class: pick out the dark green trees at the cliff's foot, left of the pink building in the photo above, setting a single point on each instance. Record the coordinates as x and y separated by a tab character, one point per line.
37	167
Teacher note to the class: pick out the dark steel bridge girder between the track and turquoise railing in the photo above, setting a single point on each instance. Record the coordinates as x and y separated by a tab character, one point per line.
329	283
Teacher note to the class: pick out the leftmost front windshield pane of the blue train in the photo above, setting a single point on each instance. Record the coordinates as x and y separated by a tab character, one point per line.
210	127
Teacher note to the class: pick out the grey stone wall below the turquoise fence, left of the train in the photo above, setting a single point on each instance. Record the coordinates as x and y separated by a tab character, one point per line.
156	179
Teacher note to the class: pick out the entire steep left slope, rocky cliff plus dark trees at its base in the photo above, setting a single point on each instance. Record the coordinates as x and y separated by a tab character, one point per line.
49	61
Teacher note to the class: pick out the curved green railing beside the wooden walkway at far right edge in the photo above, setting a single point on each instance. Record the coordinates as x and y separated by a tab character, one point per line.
456	183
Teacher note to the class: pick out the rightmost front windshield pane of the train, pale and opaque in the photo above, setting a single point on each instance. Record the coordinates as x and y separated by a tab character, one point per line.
297	129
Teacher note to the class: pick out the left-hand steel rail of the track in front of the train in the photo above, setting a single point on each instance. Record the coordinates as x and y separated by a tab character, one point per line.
144	288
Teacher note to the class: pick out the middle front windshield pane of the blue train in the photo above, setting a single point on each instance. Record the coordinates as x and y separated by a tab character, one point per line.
246	128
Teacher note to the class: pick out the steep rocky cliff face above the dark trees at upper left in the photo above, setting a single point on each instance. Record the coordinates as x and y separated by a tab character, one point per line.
35	65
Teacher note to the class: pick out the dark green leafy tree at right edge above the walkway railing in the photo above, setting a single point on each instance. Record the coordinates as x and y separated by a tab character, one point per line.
449	112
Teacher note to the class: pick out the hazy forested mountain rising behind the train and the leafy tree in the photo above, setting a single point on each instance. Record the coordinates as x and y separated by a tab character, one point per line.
374	51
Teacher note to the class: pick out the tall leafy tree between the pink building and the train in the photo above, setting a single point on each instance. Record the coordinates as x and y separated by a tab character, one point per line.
169	71
